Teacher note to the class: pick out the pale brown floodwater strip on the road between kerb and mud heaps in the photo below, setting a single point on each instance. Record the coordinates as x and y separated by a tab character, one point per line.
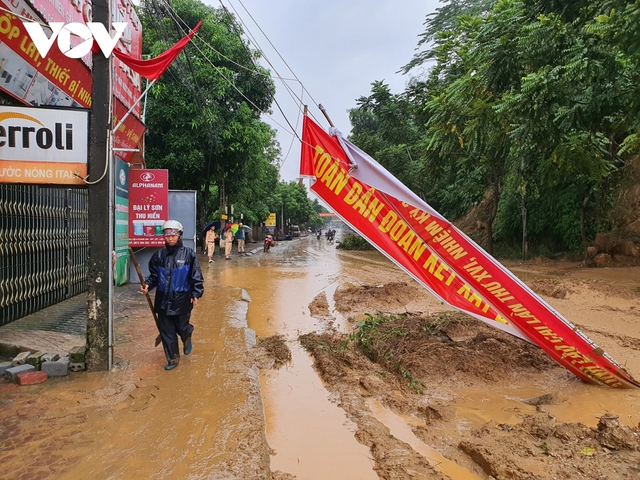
304	428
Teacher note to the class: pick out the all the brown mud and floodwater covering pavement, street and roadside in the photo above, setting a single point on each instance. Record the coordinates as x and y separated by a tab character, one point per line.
461	409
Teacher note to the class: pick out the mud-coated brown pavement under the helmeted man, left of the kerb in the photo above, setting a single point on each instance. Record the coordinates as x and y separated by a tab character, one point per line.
138	420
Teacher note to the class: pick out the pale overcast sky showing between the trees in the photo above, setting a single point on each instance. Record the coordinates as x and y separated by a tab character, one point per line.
336	48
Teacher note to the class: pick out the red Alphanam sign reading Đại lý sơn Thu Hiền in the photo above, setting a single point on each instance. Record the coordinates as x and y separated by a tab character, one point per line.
148	207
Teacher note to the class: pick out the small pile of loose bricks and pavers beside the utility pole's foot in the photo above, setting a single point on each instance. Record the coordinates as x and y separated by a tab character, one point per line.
31	368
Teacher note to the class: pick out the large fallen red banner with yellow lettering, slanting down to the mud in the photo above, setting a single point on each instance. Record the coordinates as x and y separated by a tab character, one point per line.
440	257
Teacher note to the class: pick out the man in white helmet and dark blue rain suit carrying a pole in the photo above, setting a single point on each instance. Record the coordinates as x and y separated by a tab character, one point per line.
175	271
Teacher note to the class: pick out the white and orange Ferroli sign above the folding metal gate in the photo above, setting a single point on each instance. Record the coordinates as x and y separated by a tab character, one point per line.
42	145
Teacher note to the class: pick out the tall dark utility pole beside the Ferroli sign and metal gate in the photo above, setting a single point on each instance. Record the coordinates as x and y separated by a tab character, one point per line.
99	355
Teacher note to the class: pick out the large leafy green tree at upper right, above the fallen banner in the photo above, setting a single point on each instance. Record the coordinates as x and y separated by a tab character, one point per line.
534	101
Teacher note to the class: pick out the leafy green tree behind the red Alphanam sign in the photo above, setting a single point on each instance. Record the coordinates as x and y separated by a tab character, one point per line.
203	115
